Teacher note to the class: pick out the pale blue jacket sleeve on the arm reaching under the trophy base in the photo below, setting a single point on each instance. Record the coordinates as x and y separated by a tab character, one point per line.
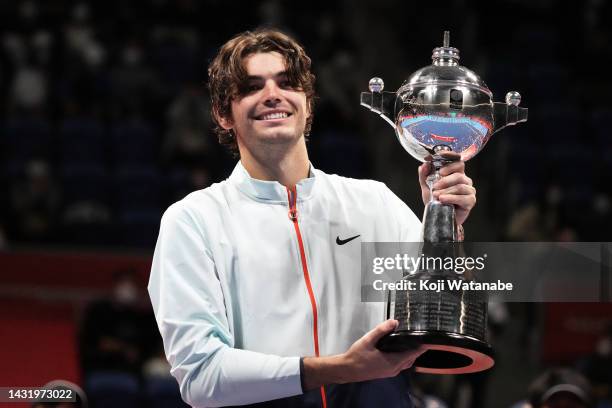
190	311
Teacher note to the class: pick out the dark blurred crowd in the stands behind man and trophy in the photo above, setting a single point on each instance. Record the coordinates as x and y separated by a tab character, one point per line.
104	109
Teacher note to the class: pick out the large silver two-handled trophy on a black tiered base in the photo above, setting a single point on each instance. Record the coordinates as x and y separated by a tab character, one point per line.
441	108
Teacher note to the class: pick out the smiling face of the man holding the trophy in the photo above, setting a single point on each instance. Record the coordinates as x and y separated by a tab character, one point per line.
270	110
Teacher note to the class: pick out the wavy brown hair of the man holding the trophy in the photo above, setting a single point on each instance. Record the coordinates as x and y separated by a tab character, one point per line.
227	75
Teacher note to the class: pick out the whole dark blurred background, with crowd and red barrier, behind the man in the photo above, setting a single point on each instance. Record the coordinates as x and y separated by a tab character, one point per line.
104	122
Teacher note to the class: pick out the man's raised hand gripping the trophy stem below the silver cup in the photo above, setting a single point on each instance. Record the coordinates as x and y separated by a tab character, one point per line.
453	188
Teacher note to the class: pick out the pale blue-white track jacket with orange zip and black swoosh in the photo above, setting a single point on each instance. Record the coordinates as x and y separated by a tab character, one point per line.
238	280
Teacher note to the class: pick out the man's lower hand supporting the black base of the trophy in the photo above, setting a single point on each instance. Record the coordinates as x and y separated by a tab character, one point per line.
363	361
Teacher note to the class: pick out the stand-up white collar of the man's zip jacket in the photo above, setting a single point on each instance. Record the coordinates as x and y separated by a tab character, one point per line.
270	191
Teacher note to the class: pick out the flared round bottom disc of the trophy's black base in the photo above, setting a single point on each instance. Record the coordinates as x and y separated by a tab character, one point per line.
447	353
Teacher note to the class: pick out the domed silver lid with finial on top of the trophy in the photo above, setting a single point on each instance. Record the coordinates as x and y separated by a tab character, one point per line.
445	70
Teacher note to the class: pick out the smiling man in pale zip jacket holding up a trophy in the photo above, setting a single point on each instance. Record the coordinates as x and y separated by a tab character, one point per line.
256	281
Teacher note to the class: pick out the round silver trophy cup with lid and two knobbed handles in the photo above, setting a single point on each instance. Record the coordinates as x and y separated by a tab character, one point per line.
443	104
